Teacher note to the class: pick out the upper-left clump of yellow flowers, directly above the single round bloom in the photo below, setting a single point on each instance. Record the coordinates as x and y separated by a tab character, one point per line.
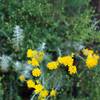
35	56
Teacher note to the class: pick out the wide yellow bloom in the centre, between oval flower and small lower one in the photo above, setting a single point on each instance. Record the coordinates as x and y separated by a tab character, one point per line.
66	60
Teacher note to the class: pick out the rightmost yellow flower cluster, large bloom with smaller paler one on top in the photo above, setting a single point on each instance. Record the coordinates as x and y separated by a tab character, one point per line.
92	58
